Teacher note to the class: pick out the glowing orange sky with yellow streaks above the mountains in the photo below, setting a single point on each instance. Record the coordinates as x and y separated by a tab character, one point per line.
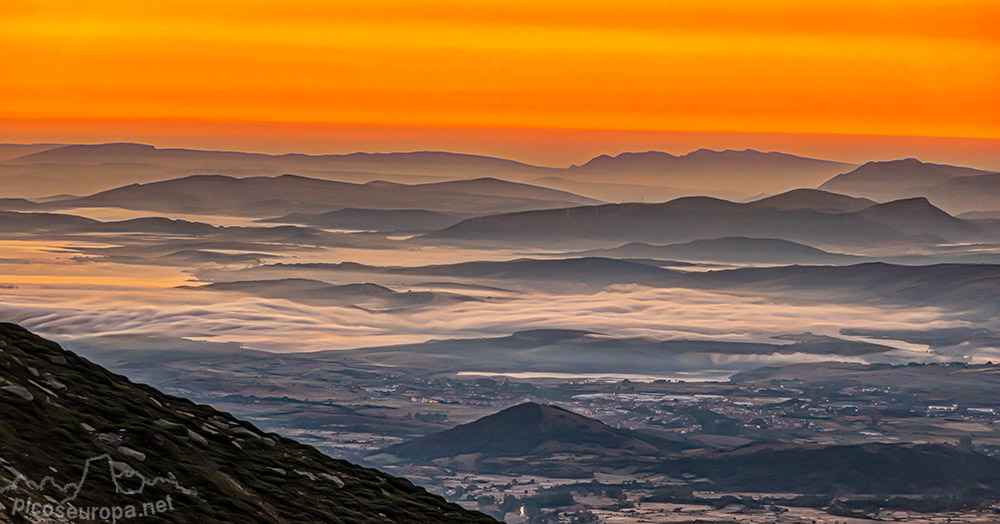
273	70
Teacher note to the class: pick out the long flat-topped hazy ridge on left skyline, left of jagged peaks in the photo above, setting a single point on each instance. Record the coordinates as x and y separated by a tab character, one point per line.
85	169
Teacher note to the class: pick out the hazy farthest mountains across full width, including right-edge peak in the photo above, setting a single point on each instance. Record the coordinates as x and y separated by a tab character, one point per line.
46	169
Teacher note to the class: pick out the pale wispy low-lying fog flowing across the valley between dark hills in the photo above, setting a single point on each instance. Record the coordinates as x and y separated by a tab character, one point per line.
47	290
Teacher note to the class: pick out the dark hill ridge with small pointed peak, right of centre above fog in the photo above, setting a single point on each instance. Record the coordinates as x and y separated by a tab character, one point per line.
694	218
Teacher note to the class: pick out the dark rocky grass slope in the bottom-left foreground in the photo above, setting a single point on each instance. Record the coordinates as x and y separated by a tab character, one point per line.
60	410
